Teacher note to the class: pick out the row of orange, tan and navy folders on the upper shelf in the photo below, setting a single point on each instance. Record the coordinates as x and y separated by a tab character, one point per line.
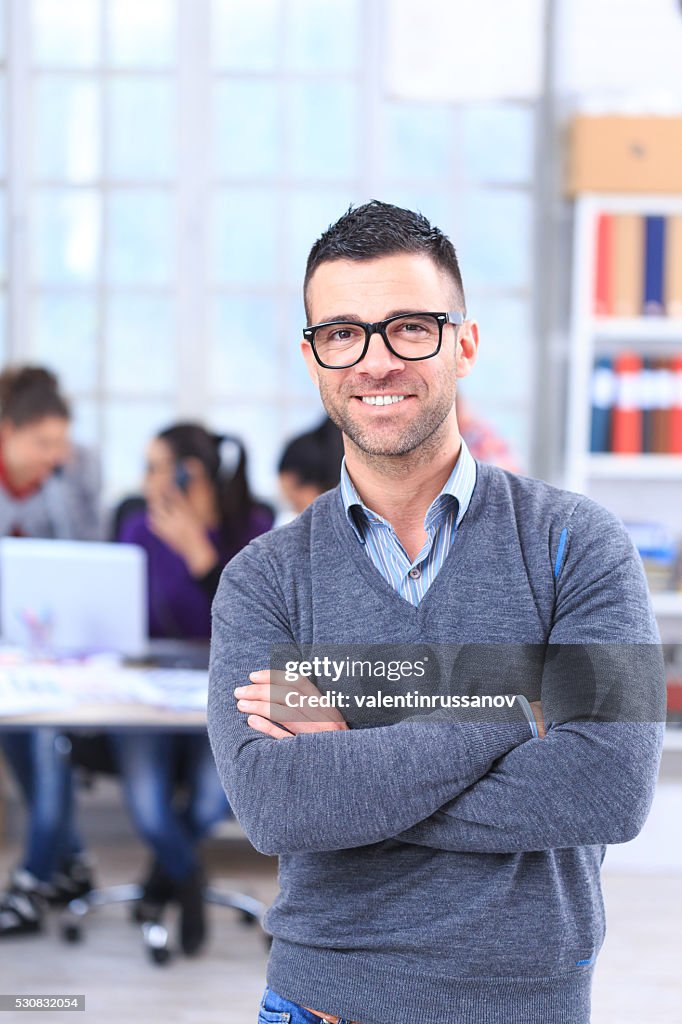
640	266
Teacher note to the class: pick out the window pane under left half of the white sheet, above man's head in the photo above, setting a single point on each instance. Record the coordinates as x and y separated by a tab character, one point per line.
419	142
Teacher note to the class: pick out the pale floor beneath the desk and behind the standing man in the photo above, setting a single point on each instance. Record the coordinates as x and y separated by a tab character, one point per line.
640	977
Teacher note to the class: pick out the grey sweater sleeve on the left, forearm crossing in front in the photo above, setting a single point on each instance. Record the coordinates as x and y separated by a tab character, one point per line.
331	790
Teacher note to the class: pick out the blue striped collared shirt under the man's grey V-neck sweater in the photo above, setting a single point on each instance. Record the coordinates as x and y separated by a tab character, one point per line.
413	579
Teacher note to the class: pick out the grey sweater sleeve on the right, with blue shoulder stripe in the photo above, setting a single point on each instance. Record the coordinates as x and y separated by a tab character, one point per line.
588	782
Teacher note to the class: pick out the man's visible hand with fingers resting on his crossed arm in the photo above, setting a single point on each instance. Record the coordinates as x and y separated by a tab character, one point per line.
265	701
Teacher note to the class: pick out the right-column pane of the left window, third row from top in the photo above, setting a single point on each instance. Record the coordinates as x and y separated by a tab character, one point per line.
142	242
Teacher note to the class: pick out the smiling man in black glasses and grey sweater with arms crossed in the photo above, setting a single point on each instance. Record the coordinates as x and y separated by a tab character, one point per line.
430	870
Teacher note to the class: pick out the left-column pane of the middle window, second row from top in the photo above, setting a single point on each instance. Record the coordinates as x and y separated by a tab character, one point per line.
247	119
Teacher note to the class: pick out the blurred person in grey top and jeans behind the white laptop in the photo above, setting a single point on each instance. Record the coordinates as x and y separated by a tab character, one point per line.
49	489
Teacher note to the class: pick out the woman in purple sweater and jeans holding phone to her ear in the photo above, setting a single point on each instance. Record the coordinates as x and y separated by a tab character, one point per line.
199	515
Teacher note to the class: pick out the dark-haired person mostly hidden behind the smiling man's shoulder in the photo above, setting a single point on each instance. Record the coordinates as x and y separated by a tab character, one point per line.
310	465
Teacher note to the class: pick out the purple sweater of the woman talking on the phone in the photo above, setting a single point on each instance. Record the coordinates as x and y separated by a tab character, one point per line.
180	605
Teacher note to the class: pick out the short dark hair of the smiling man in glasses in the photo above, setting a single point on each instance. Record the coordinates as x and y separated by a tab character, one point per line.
377	230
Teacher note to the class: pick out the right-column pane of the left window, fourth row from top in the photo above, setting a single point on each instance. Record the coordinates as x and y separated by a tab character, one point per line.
141	346
